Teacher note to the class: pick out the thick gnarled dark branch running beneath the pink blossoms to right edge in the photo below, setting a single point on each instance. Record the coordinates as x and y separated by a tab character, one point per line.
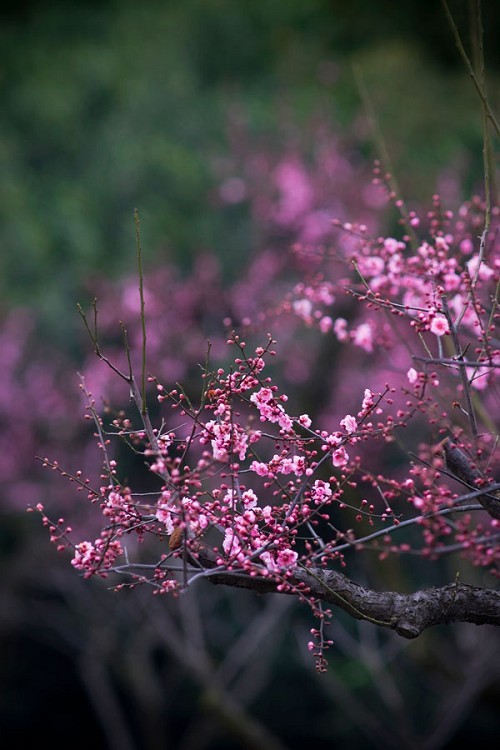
408	614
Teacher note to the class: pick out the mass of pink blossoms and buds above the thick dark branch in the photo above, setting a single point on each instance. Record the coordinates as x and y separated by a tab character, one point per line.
250	485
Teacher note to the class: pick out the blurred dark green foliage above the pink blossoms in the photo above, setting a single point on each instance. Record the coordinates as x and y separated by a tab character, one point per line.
108	106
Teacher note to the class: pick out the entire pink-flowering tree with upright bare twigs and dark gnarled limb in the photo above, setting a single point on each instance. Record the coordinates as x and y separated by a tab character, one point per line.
401	458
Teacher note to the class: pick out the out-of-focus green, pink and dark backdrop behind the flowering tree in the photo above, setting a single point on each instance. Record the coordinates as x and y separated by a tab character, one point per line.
235	129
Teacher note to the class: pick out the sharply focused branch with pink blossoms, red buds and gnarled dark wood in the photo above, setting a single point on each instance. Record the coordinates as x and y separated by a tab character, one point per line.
251	496
